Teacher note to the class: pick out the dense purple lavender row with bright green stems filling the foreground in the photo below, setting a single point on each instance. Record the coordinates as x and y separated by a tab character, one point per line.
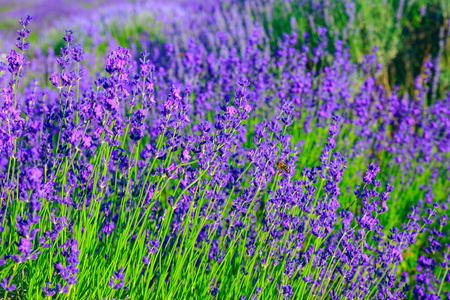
158	178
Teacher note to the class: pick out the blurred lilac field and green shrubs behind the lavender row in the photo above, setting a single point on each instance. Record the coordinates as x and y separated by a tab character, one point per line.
406	32
